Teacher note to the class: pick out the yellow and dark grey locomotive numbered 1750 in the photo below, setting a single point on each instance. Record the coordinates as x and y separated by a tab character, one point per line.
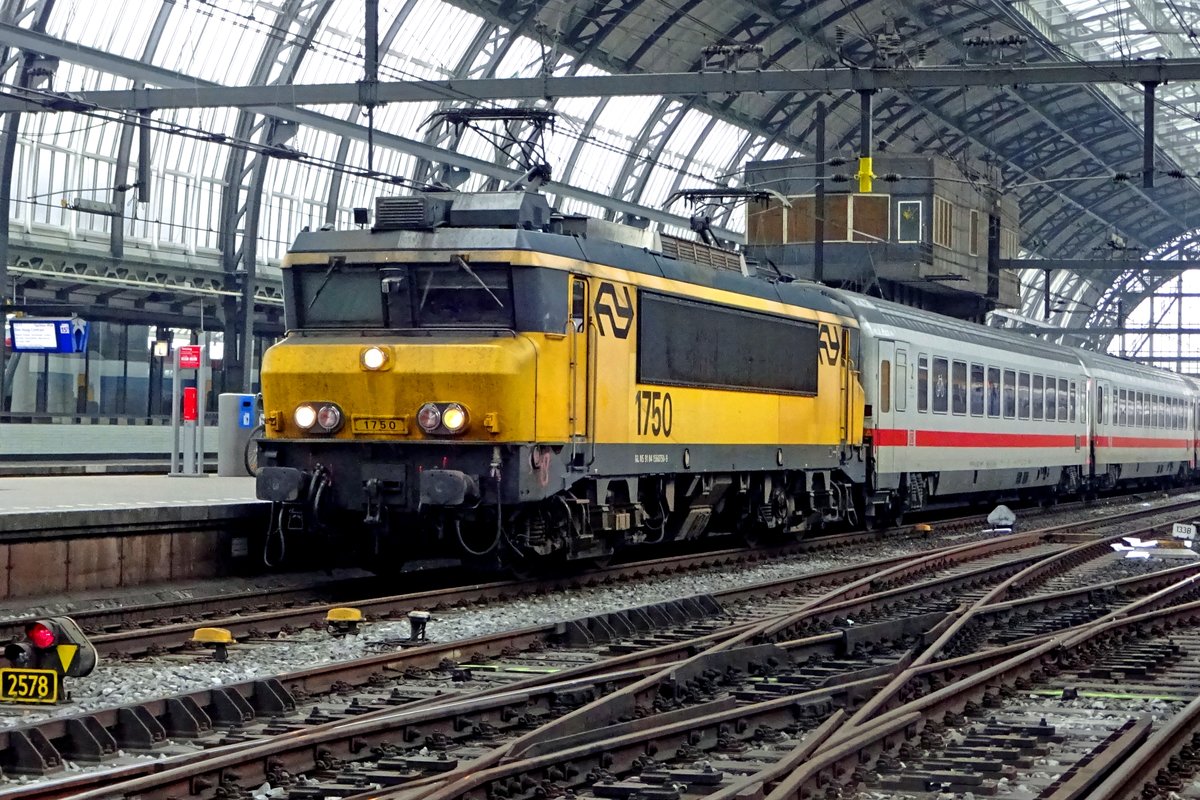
481	378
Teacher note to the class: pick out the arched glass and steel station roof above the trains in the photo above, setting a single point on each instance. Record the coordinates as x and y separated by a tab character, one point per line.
226	187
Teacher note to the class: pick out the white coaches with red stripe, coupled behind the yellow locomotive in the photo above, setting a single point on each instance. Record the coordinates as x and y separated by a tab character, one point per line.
957	408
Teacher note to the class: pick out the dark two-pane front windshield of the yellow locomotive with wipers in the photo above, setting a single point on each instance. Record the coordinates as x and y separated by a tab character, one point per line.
455	294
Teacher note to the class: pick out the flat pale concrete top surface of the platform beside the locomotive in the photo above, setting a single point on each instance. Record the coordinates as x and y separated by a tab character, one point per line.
22	496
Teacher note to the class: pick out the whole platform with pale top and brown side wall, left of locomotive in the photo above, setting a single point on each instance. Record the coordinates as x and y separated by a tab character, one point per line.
91	532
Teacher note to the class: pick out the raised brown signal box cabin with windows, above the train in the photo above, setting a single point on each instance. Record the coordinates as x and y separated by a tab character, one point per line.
931	234
